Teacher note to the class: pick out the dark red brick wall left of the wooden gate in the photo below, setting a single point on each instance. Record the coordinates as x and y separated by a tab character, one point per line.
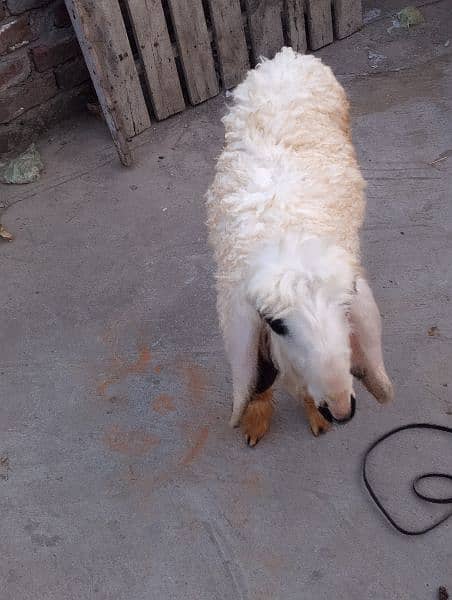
43	77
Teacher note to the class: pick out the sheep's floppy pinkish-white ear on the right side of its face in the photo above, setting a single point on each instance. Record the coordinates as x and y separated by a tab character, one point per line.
365	339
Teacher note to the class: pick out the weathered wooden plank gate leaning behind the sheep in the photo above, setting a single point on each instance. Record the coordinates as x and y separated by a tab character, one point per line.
151	57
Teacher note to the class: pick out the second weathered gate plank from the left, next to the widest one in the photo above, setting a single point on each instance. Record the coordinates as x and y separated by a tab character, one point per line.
153	41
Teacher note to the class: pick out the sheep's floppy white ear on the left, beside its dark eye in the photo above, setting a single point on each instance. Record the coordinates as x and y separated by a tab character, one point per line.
241	326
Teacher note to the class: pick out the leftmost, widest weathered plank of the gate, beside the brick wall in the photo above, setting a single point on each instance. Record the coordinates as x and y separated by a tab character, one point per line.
103	39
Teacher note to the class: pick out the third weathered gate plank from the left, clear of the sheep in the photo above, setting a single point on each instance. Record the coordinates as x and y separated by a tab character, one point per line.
195	53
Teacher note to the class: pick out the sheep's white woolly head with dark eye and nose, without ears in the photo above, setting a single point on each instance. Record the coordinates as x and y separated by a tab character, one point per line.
302	290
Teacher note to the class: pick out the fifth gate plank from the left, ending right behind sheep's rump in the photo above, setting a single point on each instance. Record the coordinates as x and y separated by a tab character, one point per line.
265	25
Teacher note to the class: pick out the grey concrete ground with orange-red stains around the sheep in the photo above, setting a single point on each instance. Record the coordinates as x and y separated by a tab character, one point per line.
120	477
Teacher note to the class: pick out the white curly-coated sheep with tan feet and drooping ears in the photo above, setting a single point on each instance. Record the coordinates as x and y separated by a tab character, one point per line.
284	213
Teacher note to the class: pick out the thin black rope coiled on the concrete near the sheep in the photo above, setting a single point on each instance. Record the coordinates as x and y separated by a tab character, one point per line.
417	480
